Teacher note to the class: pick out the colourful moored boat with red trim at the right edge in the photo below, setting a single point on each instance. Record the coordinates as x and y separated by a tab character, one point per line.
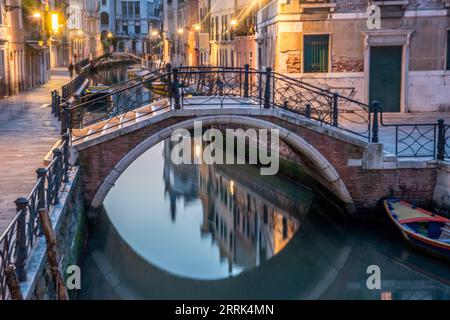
421	228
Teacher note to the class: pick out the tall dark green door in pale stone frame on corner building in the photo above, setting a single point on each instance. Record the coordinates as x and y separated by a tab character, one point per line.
385	77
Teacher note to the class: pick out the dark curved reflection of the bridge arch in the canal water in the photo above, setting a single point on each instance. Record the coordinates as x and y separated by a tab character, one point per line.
310	263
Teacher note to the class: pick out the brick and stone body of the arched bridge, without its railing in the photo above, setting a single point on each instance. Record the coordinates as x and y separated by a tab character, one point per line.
357	172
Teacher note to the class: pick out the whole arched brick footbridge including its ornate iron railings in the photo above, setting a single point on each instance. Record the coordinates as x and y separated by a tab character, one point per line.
335	137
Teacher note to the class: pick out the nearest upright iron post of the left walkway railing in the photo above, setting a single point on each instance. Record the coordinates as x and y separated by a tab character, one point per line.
21	238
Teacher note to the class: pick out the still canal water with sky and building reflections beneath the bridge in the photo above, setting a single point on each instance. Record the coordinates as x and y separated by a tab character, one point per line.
226	232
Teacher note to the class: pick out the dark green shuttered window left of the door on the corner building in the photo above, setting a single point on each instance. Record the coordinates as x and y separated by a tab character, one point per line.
316	53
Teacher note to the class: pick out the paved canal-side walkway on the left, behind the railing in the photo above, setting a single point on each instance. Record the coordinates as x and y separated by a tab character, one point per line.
27	133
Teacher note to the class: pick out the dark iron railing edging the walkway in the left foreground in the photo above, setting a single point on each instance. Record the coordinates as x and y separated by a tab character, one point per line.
19	238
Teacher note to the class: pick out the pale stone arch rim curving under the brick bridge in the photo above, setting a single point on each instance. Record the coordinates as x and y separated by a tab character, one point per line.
322	165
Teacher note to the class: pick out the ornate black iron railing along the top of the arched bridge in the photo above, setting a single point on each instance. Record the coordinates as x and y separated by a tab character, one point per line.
226	86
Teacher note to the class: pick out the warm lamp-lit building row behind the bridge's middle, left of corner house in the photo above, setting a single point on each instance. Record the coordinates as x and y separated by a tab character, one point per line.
211	32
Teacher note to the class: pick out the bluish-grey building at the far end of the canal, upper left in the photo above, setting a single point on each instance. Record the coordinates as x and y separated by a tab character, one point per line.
135	25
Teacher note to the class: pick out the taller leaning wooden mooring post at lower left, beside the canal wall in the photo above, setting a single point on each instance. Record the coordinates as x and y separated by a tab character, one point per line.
52	255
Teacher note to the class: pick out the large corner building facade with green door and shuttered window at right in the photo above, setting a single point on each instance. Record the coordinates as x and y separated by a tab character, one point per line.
396	52
